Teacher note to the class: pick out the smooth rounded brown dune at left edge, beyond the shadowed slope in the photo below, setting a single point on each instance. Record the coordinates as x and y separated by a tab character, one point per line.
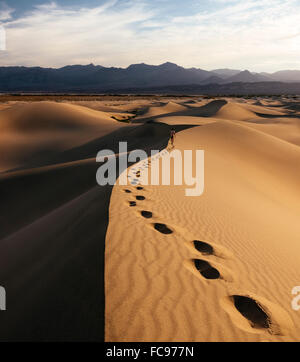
39	130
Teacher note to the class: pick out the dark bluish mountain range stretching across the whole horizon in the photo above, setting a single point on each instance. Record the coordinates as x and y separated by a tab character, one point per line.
91	78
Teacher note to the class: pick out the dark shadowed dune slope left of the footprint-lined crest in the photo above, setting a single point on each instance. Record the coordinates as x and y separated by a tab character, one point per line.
54	220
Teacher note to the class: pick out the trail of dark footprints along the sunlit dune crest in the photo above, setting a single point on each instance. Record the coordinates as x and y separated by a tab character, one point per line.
247	307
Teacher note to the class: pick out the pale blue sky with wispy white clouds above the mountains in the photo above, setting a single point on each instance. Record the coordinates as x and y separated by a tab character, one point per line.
258	35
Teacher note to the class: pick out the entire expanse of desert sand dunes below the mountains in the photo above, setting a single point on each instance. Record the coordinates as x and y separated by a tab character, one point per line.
81	262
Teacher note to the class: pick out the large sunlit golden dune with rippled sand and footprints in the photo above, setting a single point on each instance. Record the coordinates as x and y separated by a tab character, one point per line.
209	268
